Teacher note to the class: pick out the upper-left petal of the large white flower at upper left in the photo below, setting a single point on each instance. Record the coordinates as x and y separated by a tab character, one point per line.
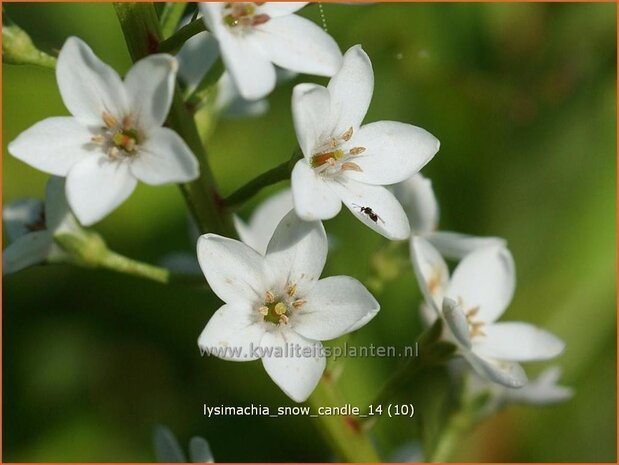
88	86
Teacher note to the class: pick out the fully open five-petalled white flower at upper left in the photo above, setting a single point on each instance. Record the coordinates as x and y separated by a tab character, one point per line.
115	135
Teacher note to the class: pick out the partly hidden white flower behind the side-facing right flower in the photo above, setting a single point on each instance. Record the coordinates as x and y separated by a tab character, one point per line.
417	197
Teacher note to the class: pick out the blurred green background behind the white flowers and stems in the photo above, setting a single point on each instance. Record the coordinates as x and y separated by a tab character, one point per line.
523	99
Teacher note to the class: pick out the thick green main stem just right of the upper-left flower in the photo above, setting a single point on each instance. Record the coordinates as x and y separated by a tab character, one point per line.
140	26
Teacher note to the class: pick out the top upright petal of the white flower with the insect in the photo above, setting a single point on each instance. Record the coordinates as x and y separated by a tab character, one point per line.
351	91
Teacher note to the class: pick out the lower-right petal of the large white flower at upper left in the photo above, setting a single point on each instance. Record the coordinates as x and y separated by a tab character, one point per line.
164	158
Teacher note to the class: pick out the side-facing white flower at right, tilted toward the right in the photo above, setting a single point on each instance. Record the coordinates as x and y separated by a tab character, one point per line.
471	300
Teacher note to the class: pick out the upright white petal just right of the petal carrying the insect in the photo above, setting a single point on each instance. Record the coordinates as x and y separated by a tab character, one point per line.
417	197
